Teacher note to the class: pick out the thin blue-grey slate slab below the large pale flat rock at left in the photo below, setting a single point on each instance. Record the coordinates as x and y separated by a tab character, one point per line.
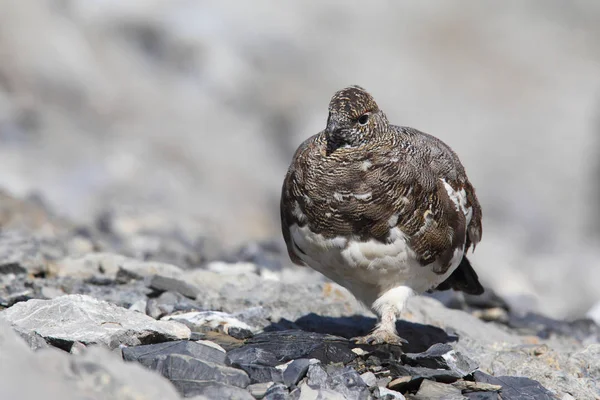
148	355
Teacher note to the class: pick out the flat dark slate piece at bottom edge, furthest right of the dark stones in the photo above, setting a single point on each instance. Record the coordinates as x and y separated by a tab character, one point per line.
514	388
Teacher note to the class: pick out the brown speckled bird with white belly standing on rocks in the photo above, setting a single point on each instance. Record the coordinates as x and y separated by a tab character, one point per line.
385	211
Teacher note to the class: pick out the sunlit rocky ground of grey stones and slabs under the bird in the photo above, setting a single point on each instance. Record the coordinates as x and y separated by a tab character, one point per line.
127	309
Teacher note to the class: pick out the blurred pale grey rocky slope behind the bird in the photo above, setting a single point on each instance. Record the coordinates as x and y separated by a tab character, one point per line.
183	115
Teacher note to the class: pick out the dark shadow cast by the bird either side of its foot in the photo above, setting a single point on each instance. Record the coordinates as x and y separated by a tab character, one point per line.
420	337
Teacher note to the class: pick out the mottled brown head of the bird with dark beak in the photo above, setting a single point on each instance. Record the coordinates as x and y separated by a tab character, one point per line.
354	118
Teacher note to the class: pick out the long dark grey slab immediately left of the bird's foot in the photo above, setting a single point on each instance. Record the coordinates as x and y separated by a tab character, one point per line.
274	348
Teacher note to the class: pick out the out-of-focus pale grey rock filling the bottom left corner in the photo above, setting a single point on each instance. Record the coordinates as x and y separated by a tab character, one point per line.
53	374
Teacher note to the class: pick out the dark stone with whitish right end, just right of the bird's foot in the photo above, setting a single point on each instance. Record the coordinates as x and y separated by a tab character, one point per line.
441	356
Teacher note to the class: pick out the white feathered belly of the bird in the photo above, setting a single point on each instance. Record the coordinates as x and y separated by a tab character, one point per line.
368	269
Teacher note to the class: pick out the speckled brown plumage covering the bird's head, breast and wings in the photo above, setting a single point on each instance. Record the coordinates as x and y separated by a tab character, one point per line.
393	174
